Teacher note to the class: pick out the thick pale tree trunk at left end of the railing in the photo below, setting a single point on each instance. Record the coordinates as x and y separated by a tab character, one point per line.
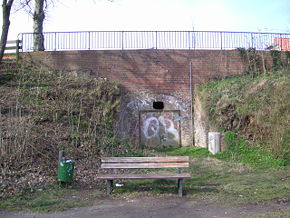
38	18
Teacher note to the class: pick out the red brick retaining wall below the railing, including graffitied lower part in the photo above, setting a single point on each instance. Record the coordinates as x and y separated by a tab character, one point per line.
148	76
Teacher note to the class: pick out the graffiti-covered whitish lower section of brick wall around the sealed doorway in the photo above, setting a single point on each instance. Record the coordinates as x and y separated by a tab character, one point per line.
170	127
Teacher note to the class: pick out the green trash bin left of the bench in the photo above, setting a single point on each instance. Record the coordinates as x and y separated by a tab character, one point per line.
65	171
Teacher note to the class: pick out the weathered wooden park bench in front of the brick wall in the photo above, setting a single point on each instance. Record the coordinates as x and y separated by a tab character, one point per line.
113	163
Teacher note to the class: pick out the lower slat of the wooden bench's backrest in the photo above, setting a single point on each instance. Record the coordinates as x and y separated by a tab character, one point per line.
143	165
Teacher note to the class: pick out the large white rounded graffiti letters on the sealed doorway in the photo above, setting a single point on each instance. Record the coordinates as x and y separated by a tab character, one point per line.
153	127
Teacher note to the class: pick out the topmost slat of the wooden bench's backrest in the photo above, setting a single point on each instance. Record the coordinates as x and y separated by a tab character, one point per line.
143	159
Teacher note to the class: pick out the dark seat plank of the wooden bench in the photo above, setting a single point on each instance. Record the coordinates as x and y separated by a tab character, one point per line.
143	176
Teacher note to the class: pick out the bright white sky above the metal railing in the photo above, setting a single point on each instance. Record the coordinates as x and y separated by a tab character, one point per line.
199	15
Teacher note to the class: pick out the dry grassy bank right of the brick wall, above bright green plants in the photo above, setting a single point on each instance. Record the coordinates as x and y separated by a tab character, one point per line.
258	109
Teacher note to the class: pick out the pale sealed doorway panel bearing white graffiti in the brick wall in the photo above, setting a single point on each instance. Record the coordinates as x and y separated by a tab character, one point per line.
160	129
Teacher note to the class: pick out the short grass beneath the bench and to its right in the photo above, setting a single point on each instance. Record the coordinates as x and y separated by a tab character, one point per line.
228	182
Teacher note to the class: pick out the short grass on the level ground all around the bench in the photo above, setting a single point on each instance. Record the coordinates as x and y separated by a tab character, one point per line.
224	182
